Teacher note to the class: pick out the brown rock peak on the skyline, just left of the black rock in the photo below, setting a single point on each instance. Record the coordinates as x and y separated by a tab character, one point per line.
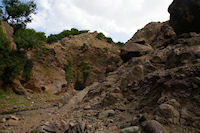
155	34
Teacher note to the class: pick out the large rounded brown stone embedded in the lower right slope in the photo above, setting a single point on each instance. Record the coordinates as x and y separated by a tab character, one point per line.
170	113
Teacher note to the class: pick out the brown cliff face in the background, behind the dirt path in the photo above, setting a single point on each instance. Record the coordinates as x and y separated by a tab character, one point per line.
48	70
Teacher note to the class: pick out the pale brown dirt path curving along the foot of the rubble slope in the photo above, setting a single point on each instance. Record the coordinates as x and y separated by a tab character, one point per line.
31	119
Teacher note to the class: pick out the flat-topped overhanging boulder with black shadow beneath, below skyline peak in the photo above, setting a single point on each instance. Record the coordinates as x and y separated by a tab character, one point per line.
134	50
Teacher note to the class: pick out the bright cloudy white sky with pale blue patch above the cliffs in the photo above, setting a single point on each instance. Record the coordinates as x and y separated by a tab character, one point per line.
118	19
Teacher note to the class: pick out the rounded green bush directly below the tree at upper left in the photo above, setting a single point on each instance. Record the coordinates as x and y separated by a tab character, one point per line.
29	38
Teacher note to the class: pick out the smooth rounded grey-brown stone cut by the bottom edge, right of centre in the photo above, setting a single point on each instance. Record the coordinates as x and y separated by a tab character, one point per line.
153	126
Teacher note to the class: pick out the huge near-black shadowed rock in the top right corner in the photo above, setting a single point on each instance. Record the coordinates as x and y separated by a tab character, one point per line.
184	16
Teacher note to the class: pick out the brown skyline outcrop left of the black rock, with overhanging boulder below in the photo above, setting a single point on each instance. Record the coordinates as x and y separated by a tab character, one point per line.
152	36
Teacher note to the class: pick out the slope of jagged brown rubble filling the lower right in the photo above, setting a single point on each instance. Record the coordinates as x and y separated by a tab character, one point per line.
156	88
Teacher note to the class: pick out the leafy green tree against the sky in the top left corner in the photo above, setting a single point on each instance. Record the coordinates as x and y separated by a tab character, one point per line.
17	12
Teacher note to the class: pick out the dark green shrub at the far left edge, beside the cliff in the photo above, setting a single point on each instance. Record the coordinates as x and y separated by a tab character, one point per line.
10	61
